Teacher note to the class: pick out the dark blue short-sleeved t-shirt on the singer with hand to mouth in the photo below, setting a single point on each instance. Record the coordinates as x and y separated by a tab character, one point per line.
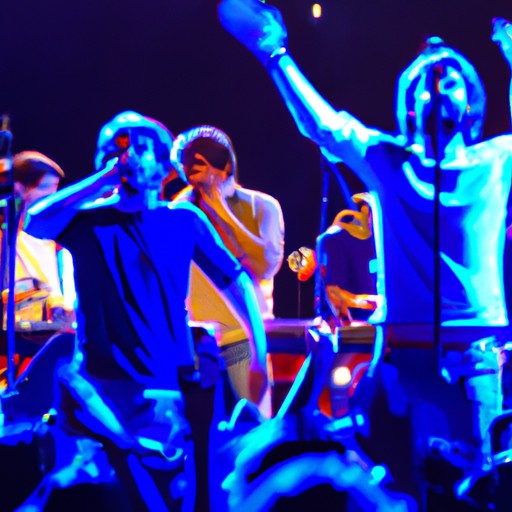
132	274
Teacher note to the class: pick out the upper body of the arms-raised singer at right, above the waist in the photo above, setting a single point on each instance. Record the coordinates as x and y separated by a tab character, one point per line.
475	180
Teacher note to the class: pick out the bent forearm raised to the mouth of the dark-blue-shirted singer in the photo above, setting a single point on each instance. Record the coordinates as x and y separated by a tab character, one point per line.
50	216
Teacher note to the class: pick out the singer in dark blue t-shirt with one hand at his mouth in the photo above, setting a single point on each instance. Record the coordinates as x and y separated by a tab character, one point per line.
134	351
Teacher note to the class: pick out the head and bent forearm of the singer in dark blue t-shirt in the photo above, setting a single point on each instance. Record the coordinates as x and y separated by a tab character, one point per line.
131	180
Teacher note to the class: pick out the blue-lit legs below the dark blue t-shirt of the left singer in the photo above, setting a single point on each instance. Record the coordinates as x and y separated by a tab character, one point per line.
145	442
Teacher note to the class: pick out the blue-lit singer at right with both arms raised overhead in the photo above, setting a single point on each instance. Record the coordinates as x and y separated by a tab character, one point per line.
440	104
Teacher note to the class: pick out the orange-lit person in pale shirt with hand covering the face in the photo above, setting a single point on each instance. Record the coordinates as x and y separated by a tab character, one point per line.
251	225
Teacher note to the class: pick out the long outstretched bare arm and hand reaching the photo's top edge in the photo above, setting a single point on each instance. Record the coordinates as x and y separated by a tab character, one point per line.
261	29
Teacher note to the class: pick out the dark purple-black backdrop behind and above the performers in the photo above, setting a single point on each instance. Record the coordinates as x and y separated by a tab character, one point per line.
66	67
